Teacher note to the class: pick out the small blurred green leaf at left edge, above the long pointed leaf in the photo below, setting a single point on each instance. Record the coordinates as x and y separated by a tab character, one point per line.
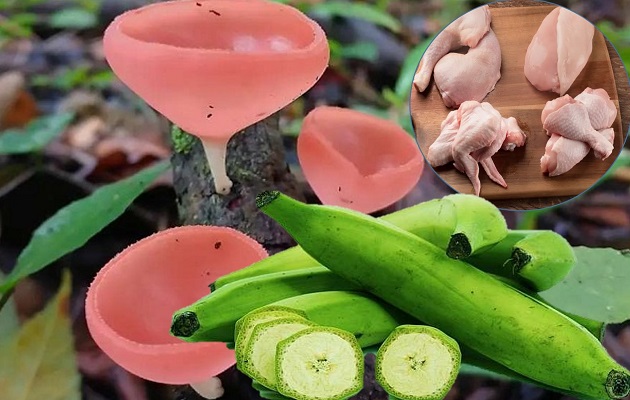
35	136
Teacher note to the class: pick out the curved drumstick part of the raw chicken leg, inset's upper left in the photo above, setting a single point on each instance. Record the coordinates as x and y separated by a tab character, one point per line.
466	30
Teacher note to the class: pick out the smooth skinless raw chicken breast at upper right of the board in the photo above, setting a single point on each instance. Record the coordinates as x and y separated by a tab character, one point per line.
559	51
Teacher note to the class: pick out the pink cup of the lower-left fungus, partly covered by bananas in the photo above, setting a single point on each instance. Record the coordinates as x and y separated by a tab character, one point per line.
130	303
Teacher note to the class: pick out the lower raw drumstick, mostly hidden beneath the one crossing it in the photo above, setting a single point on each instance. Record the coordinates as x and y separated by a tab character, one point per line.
562	154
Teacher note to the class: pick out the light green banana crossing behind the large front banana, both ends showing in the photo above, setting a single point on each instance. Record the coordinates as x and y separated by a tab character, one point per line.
444	222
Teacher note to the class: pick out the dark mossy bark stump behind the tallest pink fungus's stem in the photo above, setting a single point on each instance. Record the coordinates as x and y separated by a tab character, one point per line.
255	162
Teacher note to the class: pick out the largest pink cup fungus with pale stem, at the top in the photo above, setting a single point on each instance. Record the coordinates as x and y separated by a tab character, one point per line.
214	67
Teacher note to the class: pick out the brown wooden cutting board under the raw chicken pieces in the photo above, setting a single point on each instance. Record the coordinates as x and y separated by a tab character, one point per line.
515	96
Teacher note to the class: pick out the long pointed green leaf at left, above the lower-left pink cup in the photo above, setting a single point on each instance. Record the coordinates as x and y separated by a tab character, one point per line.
72	226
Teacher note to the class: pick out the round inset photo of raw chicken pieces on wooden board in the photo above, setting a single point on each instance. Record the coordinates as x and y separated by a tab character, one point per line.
524	103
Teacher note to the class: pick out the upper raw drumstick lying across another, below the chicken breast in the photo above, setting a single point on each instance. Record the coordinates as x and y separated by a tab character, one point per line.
572	122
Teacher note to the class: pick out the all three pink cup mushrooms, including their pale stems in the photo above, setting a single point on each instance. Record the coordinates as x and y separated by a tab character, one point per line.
214	67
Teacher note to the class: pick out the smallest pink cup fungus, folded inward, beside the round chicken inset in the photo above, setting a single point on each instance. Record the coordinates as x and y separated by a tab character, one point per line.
356	160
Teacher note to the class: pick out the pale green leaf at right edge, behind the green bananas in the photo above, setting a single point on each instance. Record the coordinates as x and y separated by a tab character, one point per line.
596	287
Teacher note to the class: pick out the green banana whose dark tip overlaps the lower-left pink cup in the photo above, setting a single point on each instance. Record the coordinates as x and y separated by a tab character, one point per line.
213	317
